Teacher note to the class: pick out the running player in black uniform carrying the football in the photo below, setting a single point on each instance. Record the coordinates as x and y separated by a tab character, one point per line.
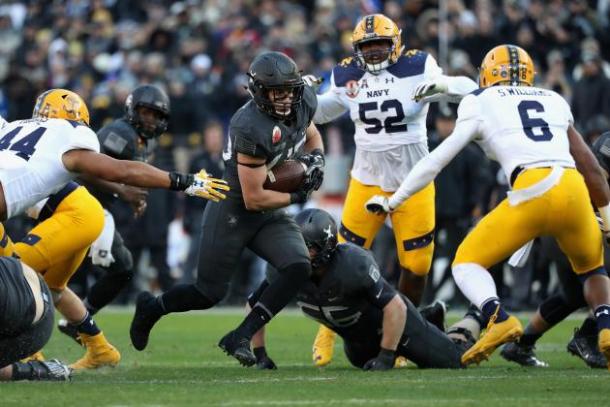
271	128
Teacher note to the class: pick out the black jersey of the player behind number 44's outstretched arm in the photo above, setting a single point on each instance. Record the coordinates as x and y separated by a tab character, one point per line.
121	141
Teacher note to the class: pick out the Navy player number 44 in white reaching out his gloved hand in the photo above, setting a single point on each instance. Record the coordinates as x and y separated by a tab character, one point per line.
39	157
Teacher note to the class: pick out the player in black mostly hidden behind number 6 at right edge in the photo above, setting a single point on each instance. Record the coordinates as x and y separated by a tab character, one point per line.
569	299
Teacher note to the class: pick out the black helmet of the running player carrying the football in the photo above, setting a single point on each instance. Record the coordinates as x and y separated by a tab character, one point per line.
275	71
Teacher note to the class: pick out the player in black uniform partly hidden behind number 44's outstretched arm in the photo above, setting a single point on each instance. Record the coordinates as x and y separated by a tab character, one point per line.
132	137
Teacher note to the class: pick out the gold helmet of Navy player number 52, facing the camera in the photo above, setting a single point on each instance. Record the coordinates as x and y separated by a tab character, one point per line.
376	27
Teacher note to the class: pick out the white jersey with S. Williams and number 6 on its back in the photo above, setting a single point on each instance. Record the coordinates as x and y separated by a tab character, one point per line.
520	126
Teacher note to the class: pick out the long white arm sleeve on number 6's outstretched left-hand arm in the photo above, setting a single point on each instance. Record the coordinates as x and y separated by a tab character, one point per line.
428	168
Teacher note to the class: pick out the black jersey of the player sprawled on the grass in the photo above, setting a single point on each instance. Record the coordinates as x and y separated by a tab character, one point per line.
351	295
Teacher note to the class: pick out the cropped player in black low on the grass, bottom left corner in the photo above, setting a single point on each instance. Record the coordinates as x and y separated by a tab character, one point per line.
26	323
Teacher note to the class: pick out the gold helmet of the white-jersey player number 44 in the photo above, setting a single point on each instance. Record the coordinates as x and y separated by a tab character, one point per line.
61	104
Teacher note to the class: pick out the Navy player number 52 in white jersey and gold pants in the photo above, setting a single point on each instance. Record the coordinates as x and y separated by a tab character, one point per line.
386	92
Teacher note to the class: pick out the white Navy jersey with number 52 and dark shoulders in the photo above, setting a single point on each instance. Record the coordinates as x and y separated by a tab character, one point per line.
390	126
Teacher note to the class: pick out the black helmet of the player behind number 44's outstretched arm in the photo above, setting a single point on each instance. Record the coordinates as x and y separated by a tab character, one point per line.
154	98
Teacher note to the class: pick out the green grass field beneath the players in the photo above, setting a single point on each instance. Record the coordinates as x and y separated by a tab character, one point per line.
183	366
